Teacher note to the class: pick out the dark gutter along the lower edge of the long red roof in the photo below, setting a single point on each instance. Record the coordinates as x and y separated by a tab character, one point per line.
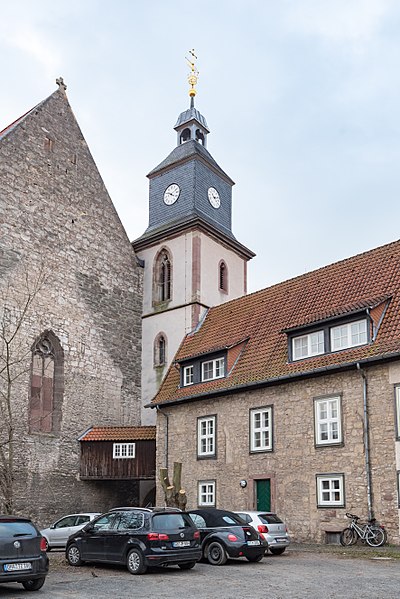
275	381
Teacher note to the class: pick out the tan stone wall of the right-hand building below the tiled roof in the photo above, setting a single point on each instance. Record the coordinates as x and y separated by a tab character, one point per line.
294	462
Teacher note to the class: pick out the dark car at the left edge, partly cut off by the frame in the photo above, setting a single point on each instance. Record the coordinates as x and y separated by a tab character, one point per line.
22	553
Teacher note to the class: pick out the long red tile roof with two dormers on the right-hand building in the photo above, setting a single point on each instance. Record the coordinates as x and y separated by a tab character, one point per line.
344	287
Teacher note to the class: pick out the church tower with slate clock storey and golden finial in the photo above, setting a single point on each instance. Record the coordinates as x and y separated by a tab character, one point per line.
192	260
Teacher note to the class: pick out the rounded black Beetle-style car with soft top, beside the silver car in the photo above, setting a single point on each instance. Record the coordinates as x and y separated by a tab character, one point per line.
224	534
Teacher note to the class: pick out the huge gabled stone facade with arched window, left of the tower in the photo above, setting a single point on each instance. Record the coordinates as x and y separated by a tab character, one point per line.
58	221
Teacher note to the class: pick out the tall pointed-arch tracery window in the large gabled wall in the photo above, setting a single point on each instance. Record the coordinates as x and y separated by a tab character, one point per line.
47	384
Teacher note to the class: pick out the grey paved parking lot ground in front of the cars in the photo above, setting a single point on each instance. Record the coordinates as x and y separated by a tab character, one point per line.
298	573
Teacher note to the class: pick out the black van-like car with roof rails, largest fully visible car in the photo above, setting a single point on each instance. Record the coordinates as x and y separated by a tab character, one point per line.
138	538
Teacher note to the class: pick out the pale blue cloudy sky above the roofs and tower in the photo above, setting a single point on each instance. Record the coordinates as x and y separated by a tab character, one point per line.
302	98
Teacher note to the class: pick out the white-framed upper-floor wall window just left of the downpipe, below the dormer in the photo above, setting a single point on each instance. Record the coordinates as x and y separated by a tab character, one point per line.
327	418
